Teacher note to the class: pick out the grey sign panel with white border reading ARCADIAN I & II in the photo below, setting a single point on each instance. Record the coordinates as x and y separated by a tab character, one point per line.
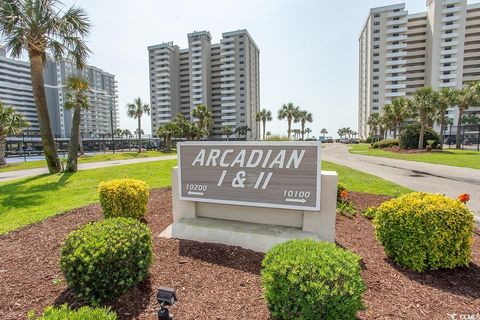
265	174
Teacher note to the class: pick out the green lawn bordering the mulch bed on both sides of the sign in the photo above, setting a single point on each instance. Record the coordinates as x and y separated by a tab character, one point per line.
30	200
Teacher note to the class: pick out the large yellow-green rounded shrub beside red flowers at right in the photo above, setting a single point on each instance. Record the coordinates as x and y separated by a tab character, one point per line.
423	231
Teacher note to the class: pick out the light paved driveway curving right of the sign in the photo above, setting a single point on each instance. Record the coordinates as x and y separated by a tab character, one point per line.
419	176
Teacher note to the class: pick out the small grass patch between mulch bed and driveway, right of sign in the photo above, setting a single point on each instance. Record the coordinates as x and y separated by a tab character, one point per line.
358	181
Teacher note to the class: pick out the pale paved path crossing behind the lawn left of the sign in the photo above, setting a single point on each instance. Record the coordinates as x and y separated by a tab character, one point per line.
10	175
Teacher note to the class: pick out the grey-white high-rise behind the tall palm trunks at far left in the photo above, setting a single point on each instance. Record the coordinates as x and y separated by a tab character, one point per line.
16	91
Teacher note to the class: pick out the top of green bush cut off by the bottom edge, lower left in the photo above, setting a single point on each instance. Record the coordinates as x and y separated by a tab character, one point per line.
84	313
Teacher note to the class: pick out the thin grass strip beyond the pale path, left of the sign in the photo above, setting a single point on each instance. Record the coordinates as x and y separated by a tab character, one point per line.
86	159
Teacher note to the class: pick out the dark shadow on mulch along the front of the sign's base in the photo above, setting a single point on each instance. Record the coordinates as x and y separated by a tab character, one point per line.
228	256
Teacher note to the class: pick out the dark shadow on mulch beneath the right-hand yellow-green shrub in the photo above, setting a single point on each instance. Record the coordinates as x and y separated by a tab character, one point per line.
461	281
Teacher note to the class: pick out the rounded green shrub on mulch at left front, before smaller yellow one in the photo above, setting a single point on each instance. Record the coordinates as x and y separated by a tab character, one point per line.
102	260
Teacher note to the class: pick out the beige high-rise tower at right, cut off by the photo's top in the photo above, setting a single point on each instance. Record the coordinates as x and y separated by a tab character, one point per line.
401	52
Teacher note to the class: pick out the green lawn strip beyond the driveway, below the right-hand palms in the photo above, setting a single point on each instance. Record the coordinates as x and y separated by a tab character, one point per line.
450	157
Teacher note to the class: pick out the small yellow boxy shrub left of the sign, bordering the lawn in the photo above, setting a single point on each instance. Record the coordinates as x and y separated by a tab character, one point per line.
124	198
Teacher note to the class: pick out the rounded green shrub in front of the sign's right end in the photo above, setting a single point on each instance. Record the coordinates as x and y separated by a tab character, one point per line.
311	280
